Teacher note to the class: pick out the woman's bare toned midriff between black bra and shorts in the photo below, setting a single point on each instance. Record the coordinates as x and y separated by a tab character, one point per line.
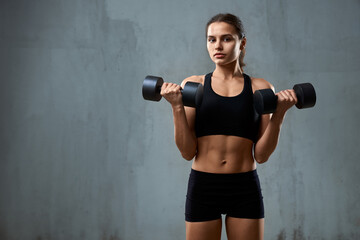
224	154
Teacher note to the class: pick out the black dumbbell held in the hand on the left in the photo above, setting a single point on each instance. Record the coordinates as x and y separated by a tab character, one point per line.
192	92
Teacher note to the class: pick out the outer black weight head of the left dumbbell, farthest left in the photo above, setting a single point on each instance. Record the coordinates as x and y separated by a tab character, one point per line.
152	87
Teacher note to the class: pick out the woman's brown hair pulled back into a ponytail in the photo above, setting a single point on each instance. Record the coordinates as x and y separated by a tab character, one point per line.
237	24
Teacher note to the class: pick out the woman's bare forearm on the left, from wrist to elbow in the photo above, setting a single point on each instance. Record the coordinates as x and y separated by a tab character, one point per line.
185	139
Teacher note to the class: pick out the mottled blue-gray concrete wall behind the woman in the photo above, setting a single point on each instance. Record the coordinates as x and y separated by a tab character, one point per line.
83	156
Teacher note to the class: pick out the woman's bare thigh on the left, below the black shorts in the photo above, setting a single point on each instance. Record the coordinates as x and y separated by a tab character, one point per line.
209	230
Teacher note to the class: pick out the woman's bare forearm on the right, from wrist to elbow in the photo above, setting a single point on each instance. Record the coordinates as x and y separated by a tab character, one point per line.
266	145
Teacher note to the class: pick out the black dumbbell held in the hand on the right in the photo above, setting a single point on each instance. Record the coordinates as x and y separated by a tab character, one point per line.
265	100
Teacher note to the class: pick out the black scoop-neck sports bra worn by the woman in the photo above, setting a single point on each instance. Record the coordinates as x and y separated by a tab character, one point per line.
219	115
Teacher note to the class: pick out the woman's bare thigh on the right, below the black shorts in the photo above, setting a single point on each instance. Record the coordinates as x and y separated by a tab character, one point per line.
244	229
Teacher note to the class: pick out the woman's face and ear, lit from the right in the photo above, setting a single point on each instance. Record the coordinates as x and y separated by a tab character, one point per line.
223	43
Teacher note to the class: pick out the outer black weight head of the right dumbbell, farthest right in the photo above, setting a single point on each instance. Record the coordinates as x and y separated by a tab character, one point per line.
306	95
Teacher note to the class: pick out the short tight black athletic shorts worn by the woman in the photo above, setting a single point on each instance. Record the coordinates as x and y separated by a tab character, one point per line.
211	194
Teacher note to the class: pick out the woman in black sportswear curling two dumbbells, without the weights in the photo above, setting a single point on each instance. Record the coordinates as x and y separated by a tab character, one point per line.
226	137
